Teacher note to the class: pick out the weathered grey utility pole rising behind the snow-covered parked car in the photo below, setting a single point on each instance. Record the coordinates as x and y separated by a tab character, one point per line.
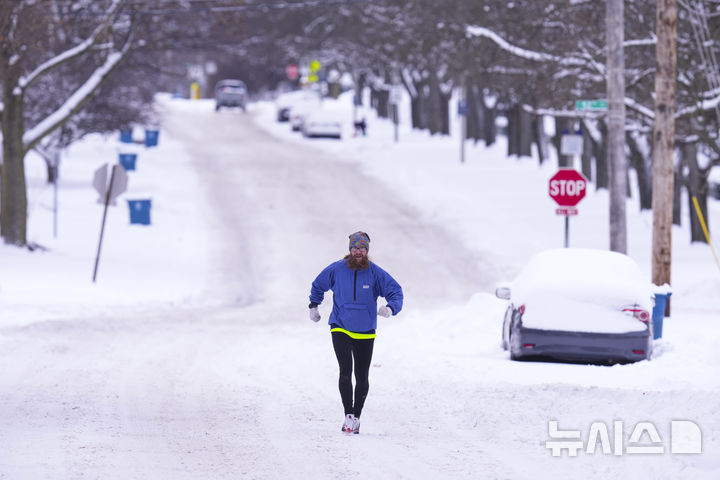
614	18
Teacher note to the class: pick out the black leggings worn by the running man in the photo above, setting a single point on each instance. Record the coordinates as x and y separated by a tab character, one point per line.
346	349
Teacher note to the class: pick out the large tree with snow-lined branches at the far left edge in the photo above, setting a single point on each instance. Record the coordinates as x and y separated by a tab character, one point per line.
36	40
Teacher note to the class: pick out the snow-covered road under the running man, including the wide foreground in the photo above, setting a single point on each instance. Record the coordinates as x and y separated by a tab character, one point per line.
244	385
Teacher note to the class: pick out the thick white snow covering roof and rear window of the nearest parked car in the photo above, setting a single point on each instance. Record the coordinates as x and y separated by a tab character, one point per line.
595	276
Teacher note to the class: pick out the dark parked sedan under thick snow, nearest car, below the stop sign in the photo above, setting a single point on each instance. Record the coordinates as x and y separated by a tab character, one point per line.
578	305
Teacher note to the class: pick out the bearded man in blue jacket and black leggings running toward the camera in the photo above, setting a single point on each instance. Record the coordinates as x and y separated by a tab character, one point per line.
356	283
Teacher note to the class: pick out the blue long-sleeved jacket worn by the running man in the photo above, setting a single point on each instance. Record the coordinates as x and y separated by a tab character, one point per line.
355	294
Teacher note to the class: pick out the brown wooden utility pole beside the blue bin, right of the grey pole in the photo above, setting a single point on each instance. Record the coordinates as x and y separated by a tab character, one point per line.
664	140
